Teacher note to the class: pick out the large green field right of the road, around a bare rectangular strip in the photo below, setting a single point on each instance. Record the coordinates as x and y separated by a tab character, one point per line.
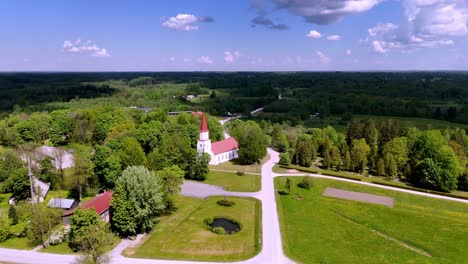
316	229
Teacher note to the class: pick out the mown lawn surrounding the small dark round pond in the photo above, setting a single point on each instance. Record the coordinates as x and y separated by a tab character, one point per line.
181	235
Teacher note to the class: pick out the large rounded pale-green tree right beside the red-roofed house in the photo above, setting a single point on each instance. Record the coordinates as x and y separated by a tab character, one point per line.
145	193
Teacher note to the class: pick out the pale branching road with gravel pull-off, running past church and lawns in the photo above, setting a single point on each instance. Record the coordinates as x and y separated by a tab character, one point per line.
272	251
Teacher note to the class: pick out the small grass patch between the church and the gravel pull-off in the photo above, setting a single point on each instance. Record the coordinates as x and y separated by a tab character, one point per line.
234	183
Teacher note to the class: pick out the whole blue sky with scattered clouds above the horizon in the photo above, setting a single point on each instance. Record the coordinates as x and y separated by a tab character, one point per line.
205	35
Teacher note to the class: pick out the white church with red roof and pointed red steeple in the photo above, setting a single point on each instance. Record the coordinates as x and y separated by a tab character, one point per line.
220	151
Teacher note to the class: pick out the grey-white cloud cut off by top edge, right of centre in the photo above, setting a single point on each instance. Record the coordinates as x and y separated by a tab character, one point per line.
319	11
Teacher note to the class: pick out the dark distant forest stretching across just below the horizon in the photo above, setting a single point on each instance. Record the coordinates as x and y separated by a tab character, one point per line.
439	95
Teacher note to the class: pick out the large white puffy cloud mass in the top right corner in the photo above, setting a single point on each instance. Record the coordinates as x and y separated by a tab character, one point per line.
427	23
